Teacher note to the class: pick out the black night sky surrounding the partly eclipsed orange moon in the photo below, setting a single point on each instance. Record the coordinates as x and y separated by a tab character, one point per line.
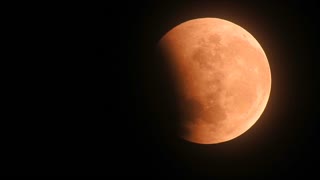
99	103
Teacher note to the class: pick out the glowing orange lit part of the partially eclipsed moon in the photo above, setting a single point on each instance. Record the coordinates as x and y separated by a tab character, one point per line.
223	78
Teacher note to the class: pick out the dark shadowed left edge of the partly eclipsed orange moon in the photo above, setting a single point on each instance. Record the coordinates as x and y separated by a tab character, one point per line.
161	89
